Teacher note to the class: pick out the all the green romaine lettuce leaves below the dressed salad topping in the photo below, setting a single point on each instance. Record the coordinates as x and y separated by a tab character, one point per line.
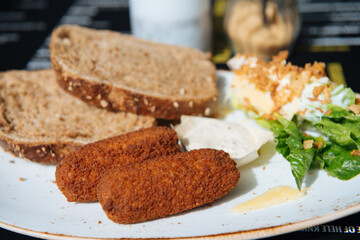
335	155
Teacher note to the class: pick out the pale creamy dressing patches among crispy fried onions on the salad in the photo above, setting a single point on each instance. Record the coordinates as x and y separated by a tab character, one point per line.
310	107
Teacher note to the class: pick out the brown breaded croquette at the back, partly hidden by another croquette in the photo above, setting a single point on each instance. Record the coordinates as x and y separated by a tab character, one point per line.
78	174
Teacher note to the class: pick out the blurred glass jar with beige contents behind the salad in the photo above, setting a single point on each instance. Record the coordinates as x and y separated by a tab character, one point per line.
262	28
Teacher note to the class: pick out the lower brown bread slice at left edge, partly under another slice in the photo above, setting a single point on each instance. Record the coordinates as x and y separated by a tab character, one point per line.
41	122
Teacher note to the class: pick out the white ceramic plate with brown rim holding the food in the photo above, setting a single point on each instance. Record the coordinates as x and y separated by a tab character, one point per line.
30	203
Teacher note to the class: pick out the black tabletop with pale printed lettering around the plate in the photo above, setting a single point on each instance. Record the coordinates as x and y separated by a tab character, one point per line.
330	33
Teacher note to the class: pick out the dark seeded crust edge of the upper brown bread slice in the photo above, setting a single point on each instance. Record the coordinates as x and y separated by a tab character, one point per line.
108	96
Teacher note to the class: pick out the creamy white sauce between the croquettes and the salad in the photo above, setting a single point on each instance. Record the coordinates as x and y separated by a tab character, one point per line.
240	141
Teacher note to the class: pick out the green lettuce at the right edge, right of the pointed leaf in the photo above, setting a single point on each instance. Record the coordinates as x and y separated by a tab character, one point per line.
342	127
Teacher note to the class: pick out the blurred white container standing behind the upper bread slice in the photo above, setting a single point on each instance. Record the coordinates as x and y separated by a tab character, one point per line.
179	22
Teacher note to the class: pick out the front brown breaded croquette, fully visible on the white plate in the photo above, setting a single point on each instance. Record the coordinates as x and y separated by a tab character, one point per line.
166	185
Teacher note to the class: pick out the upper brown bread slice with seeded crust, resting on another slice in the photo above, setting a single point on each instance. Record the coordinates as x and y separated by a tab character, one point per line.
117	71
